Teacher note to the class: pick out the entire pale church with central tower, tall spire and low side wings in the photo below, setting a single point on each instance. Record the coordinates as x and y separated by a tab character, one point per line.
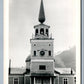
40	67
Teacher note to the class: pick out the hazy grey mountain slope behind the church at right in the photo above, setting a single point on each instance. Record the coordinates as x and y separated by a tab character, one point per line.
66	58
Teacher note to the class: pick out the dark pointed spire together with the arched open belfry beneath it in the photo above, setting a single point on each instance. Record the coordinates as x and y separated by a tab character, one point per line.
41	30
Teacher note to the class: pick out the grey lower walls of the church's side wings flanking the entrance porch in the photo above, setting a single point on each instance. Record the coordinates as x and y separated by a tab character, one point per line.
26	79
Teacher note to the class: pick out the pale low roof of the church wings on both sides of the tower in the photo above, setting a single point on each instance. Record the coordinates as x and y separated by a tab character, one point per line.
21	71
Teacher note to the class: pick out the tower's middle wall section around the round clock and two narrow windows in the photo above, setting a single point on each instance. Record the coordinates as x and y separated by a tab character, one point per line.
38	45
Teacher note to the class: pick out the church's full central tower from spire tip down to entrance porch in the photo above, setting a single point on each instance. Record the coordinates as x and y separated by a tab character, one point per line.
42	62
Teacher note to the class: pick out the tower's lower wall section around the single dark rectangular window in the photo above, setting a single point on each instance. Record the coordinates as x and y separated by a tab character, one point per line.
49	67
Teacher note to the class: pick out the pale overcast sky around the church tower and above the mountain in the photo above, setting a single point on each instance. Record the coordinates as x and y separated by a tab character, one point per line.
23	15
